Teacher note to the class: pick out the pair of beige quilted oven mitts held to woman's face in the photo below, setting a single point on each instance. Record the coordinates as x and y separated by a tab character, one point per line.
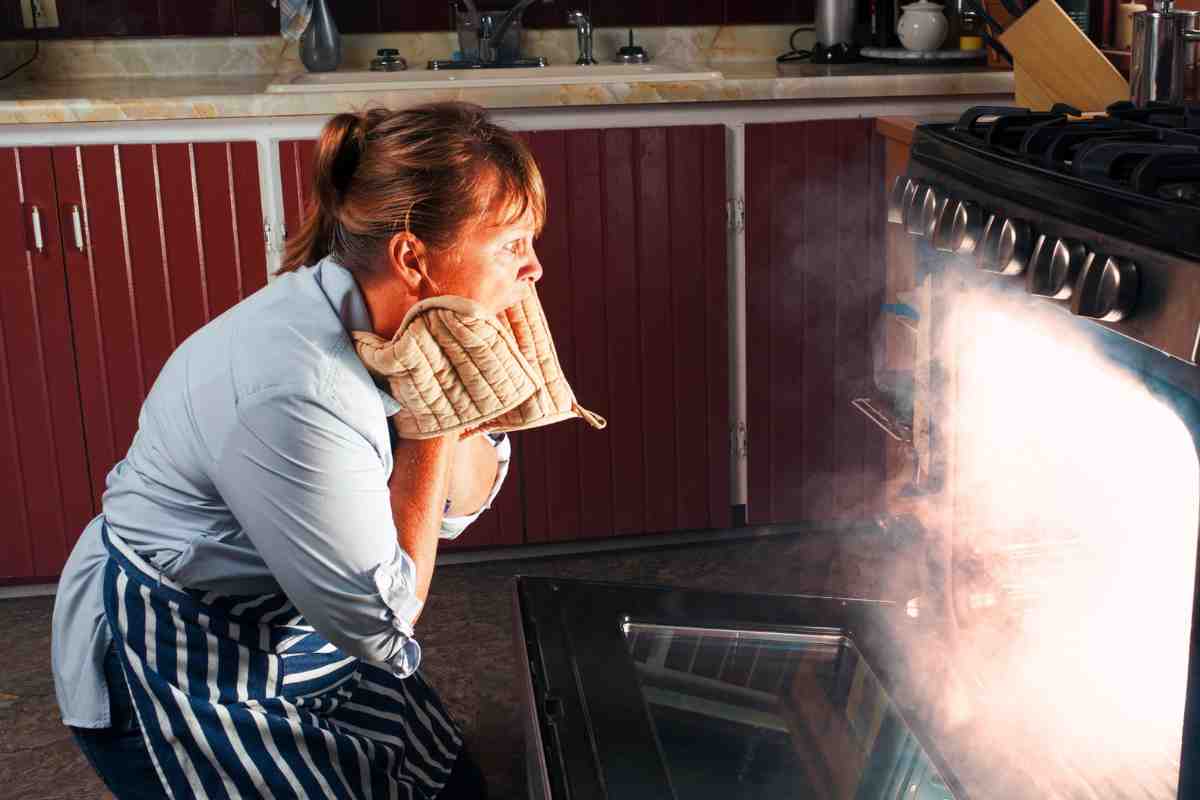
453	366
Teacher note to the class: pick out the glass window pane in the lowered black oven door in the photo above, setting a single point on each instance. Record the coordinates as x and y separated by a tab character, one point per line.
746	715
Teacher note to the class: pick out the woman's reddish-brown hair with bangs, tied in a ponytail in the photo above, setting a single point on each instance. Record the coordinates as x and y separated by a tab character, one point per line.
430	171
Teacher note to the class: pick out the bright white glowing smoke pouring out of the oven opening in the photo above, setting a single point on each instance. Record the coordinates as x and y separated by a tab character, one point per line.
1077	497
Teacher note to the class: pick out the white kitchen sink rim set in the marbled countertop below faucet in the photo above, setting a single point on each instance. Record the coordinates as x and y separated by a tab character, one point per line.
369	81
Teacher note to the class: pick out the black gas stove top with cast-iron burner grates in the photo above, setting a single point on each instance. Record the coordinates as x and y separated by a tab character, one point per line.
1133	173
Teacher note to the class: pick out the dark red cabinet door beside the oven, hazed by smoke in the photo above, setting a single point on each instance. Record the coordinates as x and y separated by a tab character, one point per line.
815	272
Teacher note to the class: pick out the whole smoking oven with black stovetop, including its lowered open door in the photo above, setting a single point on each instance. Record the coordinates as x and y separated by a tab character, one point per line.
1042	378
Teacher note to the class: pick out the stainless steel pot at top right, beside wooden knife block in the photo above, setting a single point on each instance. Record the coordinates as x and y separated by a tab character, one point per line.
1163	59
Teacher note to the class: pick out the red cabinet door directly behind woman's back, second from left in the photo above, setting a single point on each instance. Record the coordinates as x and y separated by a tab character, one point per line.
171	236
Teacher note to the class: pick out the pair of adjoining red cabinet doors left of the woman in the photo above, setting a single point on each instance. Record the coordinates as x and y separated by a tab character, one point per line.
142	244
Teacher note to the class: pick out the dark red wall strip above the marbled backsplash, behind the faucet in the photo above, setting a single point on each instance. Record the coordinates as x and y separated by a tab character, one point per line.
91	19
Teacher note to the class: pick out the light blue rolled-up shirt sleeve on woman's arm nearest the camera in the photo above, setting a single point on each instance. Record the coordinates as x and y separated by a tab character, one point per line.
311	494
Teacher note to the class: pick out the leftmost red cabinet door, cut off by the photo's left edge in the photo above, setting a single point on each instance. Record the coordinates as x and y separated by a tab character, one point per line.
44	489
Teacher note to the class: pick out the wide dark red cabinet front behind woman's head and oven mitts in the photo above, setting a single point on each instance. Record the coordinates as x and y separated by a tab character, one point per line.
635	291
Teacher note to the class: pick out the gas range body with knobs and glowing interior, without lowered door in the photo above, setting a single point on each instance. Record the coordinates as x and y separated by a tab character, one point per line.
1059	286
